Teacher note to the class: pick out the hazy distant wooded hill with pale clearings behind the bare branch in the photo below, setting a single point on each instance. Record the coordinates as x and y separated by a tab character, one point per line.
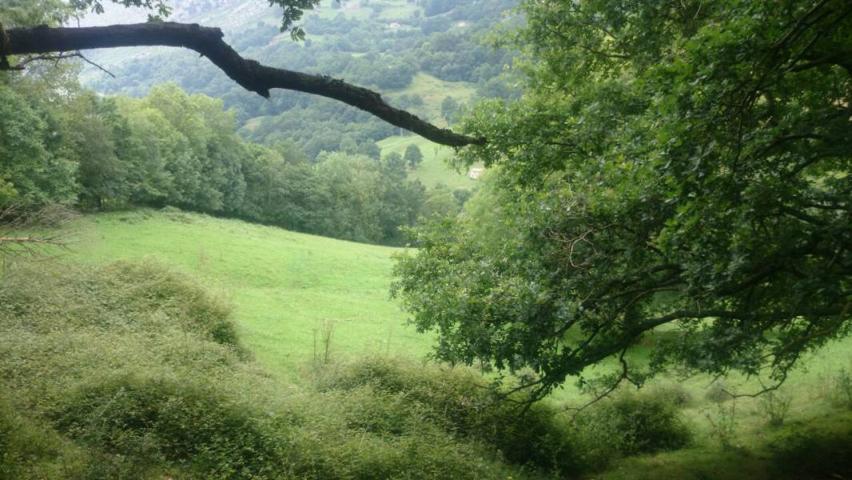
417	53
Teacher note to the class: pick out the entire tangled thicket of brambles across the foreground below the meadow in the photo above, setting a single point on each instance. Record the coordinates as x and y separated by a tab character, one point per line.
134	371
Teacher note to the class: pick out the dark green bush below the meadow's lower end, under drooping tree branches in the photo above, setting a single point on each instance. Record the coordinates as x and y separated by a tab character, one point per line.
460	403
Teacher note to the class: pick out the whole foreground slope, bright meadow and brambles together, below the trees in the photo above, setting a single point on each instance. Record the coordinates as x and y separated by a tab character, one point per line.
106	363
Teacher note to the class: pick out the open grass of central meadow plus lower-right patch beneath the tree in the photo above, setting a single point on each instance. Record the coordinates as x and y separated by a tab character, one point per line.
287	287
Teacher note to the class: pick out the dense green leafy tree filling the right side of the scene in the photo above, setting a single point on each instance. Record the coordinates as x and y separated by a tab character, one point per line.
675	169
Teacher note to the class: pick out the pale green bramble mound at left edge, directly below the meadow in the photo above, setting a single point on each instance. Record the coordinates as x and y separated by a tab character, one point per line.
138	296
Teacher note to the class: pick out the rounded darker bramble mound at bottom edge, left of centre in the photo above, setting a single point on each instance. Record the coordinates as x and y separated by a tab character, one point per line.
153	421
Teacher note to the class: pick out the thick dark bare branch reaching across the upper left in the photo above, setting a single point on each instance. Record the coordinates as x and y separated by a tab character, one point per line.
249	74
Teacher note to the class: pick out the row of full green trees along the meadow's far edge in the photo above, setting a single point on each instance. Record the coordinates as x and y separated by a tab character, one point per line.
70	146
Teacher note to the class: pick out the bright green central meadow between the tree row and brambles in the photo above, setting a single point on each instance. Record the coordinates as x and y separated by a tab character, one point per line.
286	287
